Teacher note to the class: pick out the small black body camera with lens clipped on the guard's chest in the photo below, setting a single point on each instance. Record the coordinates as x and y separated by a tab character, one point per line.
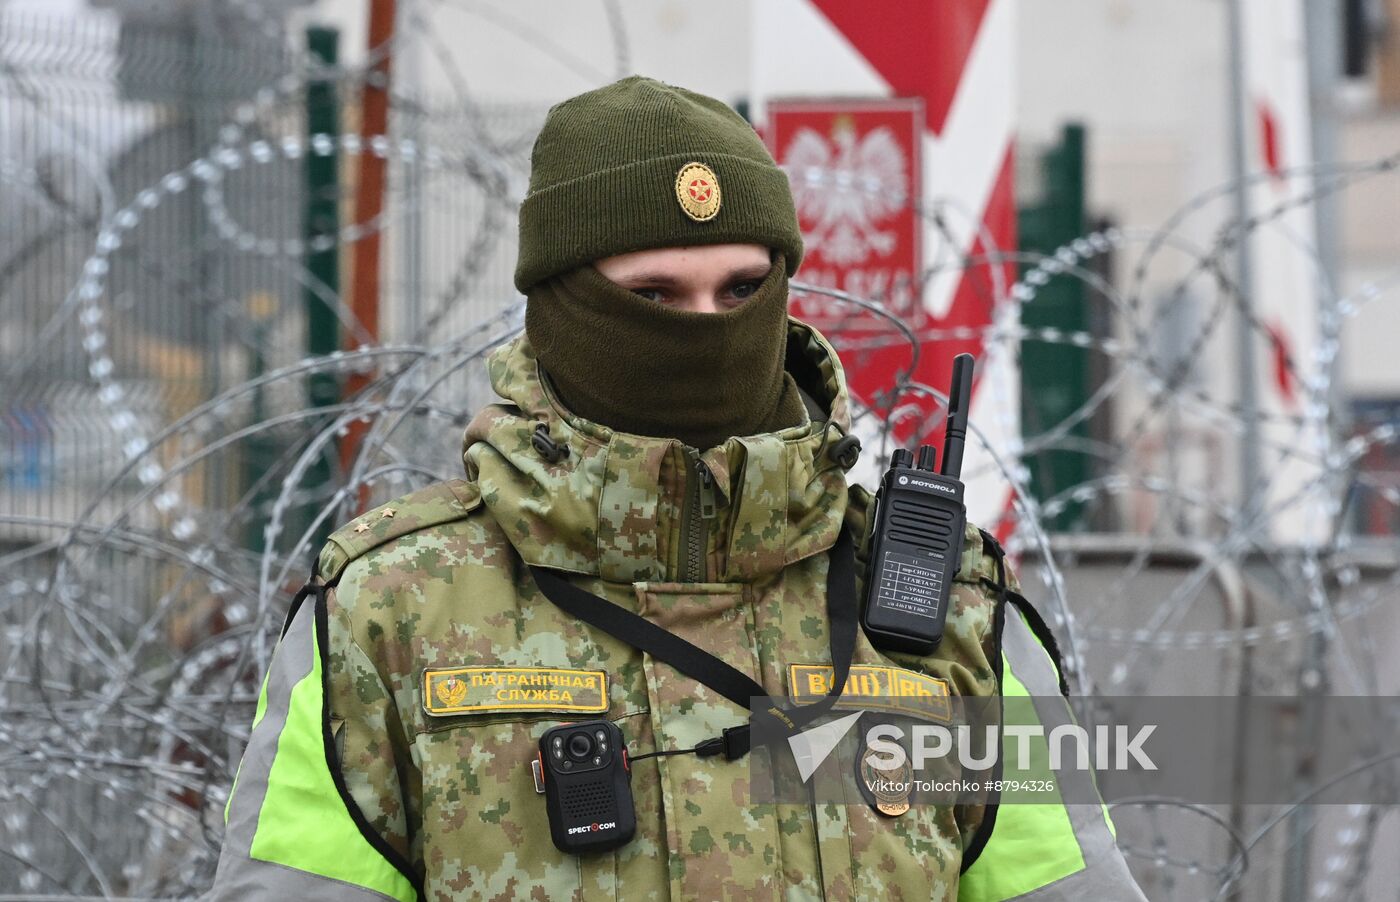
587	784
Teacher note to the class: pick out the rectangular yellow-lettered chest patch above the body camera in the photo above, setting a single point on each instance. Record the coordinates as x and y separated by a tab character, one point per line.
475	690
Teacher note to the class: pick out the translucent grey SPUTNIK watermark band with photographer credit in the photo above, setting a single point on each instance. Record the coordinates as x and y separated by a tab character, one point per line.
1081	751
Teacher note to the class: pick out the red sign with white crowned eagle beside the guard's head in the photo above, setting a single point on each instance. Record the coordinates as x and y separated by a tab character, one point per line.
855	173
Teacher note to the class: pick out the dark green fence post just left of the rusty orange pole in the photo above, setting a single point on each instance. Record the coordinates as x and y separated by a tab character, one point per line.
323	221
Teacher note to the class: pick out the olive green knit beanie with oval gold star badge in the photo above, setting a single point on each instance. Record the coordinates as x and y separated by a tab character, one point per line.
640	165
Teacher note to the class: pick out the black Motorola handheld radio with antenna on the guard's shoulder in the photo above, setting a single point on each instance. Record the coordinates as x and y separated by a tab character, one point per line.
916	544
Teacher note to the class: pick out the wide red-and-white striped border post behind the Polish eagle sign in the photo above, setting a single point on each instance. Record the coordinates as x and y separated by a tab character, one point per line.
957	60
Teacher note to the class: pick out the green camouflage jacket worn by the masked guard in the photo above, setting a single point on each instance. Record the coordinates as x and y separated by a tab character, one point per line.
440	665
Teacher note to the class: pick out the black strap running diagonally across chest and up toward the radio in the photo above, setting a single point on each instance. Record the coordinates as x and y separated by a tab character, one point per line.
712	672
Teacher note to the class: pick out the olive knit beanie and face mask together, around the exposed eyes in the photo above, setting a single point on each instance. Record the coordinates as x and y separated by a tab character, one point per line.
633	166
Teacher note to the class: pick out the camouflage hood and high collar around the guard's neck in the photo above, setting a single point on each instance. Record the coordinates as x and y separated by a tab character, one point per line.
612	508
